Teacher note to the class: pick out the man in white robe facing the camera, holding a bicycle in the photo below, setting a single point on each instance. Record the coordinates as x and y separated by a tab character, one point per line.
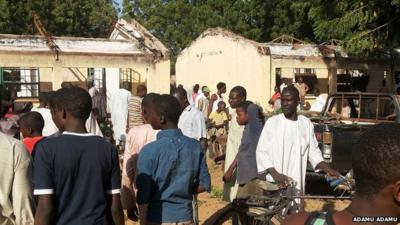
286	143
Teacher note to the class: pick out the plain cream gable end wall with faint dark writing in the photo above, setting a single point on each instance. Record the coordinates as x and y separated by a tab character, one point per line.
214	59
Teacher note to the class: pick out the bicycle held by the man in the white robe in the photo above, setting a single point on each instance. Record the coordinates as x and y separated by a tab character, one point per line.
274	206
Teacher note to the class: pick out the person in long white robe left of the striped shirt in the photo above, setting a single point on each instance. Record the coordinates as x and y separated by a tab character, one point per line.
119	112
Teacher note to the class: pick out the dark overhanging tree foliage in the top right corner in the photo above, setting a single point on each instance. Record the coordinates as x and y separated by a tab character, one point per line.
361	25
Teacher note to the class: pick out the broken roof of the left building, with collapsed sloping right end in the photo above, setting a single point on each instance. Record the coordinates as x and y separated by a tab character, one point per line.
127	38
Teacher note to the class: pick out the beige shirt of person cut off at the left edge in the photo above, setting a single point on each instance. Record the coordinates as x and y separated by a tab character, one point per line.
17	204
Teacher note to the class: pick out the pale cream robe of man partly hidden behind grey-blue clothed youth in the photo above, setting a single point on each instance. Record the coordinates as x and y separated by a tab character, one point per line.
232	147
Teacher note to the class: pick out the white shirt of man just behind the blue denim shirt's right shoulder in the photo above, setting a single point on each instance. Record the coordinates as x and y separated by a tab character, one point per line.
192	123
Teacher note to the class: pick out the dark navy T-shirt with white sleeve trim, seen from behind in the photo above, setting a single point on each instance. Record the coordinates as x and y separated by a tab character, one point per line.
79	170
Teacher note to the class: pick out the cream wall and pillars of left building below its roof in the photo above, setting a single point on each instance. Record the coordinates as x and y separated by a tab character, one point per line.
73	68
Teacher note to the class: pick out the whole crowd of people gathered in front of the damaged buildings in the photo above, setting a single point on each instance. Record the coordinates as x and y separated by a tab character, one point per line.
62	171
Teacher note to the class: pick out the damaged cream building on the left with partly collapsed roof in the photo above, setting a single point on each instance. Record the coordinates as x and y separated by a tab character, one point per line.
34	64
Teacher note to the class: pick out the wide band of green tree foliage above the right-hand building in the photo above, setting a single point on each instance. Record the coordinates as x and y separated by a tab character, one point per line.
361	25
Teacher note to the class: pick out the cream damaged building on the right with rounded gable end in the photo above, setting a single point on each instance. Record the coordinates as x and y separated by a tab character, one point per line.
220	55
